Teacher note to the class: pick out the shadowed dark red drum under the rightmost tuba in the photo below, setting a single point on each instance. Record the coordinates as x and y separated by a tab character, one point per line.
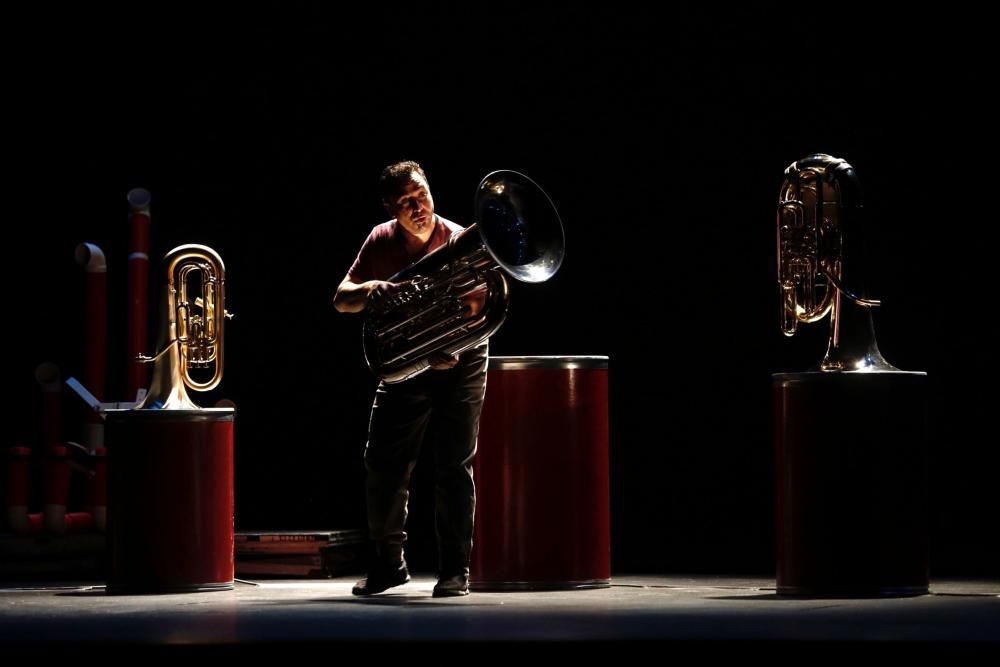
851	472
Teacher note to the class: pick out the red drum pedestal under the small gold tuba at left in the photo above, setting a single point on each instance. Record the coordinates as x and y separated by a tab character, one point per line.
170	500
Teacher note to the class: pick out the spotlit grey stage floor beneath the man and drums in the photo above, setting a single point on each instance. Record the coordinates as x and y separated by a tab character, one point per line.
698	611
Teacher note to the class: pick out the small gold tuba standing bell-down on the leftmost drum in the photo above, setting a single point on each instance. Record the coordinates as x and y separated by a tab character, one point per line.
191	332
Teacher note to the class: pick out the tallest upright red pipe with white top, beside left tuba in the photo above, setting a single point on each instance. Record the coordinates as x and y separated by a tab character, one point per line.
138	290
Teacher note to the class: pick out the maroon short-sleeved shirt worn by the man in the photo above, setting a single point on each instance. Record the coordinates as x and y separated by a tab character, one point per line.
385	252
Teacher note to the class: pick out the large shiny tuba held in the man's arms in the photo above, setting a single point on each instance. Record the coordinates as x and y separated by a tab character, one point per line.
457	296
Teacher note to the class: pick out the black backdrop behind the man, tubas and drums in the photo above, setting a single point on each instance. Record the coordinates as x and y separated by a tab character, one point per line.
661	136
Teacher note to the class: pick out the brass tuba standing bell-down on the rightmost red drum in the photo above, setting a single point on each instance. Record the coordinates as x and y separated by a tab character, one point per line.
820	261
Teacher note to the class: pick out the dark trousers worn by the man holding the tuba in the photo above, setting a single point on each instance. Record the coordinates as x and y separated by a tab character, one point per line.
446	406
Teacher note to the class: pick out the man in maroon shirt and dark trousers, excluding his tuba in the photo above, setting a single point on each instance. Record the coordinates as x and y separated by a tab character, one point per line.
444	403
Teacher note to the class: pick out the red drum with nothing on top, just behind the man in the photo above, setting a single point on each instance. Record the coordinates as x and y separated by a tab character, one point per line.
542	505
